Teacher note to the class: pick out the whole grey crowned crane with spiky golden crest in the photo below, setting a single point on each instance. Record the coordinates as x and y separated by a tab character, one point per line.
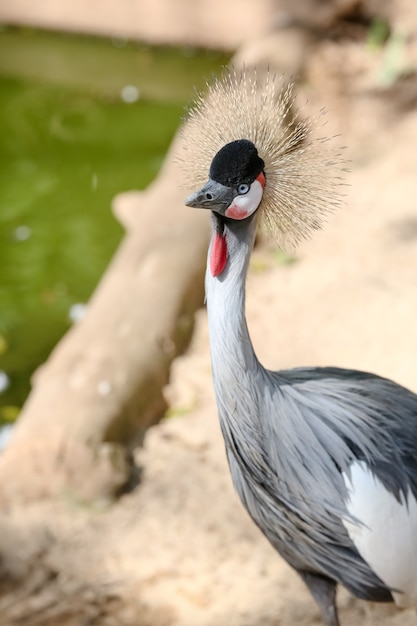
324	459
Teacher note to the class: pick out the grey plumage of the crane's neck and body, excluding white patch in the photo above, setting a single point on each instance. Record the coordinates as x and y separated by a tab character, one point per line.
290	434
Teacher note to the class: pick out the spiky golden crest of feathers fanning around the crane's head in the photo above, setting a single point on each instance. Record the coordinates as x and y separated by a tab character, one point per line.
303	174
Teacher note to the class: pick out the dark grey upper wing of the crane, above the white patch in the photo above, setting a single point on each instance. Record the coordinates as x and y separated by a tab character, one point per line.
374	416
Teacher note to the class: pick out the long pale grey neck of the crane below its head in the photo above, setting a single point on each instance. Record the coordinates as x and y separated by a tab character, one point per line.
232	353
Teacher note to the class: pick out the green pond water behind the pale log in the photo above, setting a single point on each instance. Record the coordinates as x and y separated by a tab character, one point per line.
68	144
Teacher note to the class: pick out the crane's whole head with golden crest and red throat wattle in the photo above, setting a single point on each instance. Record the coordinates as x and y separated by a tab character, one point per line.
261	158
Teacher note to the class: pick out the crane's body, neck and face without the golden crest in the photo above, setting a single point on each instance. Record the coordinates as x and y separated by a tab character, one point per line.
323	459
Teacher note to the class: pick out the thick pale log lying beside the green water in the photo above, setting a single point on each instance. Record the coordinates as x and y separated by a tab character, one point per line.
102	386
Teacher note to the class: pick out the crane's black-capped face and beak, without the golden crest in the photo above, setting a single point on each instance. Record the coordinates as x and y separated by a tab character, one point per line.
236	182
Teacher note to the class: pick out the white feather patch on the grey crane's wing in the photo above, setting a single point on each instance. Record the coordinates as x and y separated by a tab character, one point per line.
386	532
